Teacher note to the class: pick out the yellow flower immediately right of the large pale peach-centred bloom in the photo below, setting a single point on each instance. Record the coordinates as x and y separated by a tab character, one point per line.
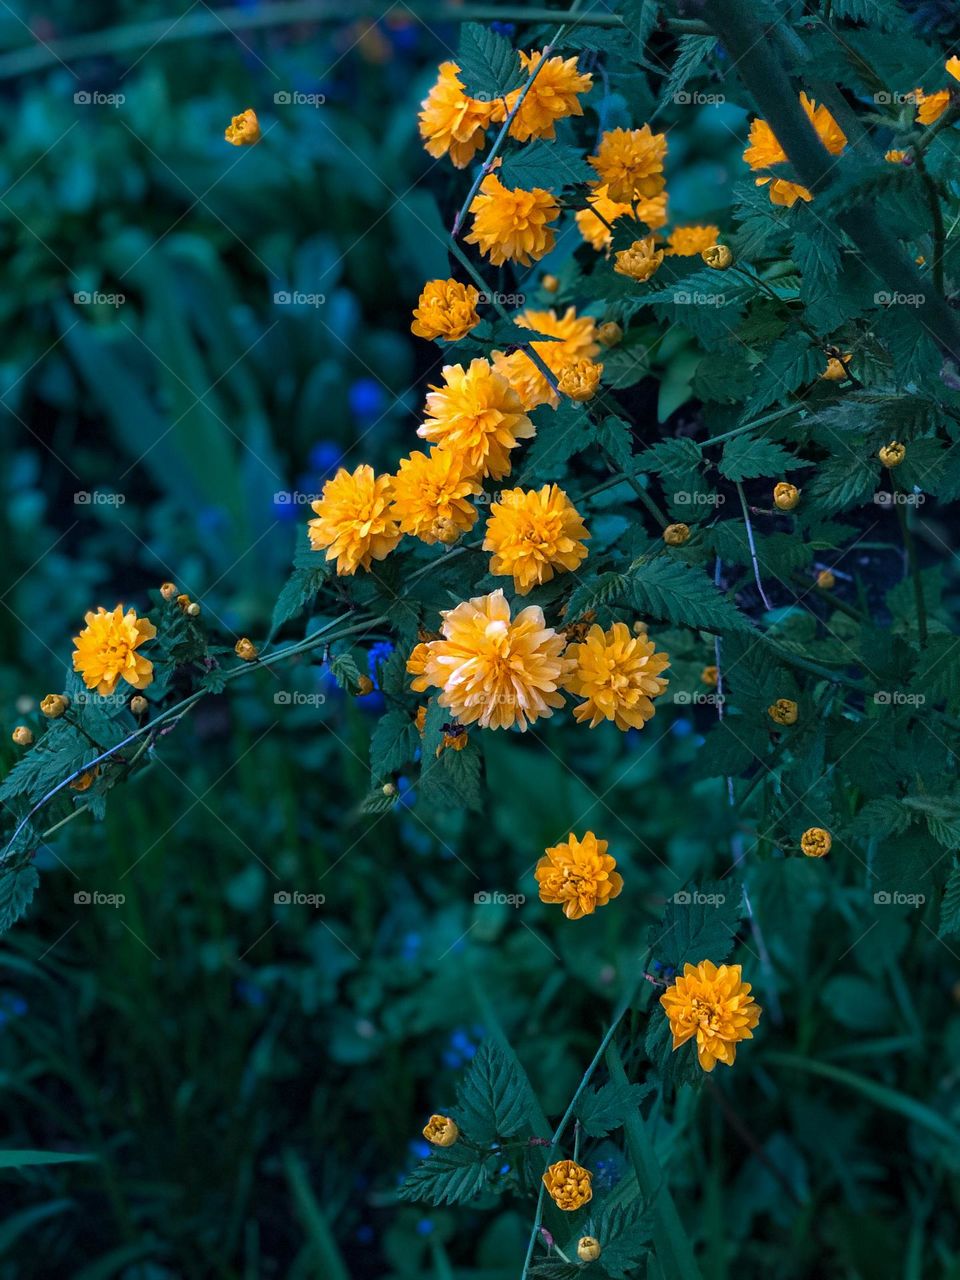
619	674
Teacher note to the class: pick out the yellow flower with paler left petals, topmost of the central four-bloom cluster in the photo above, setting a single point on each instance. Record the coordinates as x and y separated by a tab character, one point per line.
478	417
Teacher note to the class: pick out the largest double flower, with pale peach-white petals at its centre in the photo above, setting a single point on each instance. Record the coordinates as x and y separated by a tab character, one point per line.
493	670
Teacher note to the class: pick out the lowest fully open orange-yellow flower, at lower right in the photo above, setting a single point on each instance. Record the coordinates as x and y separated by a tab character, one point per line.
716	1007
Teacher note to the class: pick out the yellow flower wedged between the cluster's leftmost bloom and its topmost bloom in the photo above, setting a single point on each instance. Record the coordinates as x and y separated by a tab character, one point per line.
431	497
